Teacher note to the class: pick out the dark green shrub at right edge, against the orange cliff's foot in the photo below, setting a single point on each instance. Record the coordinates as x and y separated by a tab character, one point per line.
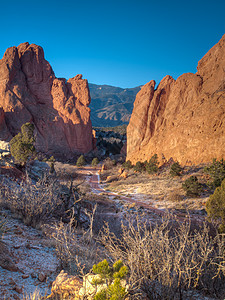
217	172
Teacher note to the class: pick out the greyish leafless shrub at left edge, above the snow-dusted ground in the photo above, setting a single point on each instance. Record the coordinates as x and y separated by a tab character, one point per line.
34	203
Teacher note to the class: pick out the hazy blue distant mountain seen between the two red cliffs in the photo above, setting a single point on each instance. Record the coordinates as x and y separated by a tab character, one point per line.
110	105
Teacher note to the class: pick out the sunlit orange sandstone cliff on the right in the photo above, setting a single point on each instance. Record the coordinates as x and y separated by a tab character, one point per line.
182	119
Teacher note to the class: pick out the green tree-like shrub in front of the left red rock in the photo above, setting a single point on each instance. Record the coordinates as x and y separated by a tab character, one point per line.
22	145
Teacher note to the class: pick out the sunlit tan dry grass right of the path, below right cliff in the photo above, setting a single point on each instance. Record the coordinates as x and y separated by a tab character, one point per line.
161	191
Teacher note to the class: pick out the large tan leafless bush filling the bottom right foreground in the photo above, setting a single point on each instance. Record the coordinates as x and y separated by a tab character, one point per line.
167	259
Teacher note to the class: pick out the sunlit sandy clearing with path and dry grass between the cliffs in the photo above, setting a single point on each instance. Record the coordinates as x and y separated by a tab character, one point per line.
161	192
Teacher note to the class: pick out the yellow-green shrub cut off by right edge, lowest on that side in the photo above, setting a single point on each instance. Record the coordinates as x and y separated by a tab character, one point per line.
215	206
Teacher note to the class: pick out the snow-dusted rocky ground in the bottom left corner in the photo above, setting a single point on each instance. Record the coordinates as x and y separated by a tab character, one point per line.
33	255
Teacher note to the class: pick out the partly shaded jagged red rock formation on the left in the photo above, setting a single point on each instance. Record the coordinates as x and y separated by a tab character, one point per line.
30	92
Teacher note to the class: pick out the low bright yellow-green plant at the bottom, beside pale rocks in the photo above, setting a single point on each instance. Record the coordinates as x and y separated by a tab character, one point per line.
111	276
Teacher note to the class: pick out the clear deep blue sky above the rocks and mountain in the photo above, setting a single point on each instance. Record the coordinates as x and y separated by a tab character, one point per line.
122	43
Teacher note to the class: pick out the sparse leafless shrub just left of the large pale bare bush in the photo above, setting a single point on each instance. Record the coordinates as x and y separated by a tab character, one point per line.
76	249
